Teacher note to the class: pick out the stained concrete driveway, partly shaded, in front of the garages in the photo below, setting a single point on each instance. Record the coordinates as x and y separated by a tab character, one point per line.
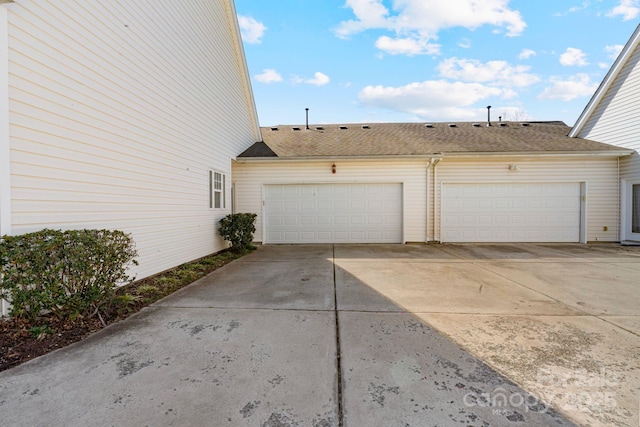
369	335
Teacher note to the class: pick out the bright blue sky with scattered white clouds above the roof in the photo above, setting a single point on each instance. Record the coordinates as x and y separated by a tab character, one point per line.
367	61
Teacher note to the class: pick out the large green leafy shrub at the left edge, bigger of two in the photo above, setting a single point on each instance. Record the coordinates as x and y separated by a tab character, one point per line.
67	273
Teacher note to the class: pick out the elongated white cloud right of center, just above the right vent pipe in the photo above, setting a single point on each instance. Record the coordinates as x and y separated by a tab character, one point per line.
492	72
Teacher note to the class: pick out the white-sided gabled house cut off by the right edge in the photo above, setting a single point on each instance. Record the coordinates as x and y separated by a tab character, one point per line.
613	116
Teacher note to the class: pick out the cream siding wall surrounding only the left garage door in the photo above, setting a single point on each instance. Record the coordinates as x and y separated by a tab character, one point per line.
249	179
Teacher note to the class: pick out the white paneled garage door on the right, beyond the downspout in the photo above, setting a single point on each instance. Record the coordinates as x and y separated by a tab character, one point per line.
515	212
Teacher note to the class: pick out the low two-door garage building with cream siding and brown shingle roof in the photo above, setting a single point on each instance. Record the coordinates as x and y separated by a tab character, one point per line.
421	182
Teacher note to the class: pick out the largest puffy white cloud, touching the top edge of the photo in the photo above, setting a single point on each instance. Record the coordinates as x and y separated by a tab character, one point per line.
420	21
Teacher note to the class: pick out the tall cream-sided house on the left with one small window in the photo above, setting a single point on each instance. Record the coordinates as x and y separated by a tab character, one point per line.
123	117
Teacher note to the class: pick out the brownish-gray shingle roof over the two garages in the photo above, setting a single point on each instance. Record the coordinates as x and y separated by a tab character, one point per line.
419	139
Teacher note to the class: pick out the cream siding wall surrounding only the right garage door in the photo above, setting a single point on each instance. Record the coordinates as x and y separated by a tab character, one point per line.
599	175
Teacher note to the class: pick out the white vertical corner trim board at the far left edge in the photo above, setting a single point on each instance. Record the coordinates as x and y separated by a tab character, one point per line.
5	150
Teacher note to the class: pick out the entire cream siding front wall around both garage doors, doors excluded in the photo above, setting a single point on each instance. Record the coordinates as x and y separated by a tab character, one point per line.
599	176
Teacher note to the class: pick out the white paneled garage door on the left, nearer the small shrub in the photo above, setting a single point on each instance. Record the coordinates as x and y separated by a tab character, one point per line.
333	213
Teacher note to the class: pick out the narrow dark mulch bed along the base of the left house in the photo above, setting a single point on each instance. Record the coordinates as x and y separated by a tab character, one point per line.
18	344
